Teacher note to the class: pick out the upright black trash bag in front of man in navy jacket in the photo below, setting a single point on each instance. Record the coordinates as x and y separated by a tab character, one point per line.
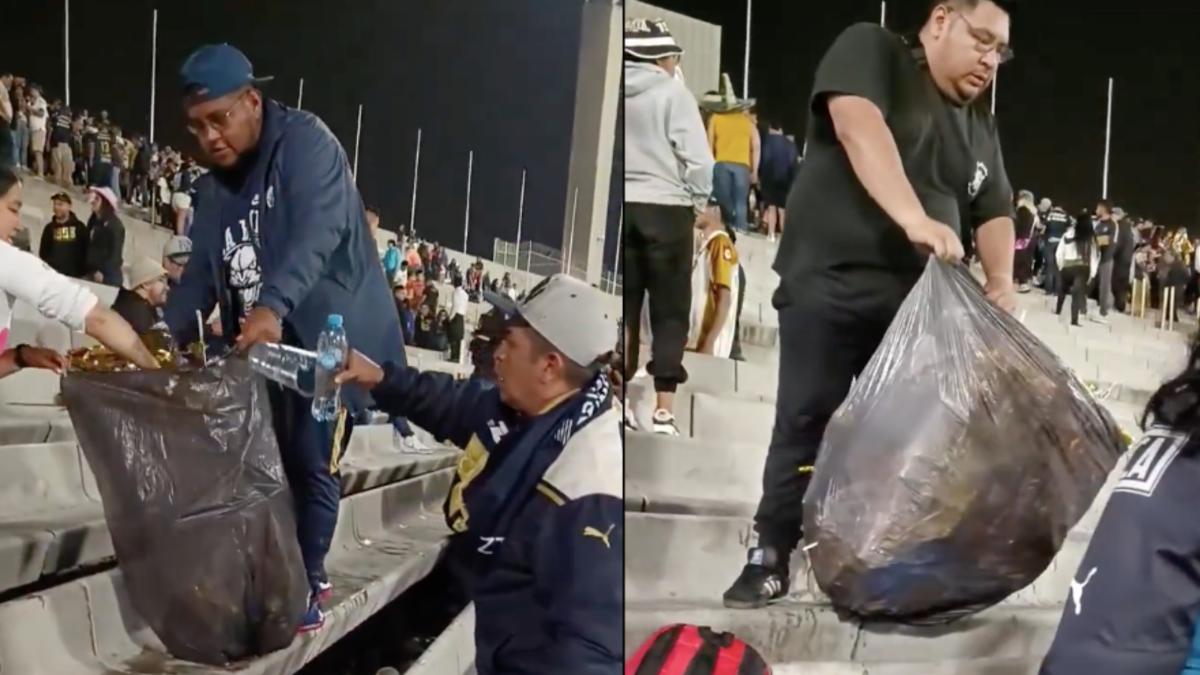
197	506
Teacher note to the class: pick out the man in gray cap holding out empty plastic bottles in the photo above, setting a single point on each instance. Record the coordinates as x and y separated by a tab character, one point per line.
536	505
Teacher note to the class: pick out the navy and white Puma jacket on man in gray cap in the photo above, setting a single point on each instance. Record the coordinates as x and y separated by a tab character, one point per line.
549	589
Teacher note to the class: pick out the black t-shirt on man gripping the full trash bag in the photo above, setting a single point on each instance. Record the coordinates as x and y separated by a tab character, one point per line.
951	156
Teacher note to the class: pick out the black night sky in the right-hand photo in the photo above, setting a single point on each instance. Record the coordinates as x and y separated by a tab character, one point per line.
1052	99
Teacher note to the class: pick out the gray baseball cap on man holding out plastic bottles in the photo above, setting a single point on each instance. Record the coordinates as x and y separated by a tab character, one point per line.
569	314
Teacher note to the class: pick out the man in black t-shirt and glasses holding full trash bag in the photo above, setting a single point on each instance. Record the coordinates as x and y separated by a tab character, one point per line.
902	162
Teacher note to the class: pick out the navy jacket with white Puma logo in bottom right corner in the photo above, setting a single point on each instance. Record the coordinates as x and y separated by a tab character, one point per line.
1133	606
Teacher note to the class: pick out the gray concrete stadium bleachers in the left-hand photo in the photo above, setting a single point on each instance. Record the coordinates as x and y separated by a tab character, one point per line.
65	611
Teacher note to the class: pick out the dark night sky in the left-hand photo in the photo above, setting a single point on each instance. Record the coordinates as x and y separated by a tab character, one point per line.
499	79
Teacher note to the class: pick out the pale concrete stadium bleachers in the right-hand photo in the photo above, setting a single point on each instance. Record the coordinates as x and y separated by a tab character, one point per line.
692	500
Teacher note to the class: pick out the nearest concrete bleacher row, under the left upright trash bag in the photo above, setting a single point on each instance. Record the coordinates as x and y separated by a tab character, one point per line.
387	540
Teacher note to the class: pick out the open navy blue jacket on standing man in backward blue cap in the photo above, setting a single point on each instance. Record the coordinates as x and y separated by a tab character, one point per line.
317	253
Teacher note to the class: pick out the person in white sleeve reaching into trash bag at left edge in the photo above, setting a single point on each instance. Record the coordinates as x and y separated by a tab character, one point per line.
27	278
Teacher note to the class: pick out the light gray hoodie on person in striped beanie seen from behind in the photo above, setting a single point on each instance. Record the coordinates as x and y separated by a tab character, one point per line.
668	159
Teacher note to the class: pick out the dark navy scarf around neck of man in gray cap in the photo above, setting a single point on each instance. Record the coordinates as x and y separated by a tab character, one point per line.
495	505
